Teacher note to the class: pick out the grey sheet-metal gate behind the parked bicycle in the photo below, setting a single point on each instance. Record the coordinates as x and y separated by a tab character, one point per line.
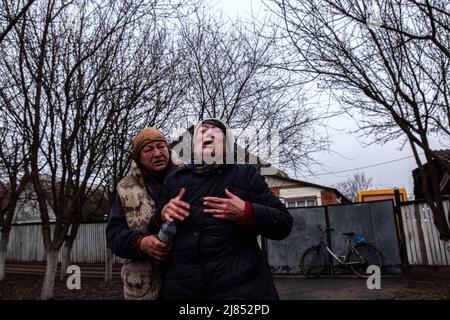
374	220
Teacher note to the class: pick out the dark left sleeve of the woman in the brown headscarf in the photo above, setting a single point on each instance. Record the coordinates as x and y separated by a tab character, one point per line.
119	237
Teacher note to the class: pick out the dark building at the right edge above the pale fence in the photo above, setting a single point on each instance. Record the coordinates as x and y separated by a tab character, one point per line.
442	173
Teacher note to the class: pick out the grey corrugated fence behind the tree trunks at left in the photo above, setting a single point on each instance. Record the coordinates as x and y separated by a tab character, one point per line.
26	244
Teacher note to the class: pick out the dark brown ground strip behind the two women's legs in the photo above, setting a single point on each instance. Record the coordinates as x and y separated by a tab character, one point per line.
27	287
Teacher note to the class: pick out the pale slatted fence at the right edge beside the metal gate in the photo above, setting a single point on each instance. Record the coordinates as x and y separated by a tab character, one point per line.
423	245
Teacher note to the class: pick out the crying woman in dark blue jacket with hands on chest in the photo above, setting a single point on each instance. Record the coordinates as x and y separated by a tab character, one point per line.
219	210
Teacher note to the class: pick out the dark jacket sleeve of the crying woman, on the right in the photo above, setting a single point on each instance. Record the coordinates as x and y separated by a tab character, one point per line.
271	218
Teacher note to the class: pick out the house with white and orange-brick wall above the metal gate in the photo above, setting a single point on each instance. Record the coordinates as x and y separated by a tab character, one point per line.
298	193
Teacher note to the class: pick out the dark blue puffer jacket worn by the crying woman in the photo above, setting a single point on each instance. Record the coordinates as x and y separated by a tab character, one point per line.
217	259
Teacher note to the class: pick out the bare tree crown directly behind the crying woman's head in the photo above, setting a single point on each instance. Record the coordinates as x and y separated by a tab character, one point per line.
232	74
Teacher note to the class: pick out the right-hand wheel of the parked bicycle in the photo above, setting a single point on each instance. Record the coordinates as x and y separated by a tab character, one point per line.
361	257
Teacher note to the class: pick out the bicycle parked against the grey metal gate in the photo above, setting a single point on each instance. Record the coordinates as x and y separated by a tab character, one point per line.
358	255
